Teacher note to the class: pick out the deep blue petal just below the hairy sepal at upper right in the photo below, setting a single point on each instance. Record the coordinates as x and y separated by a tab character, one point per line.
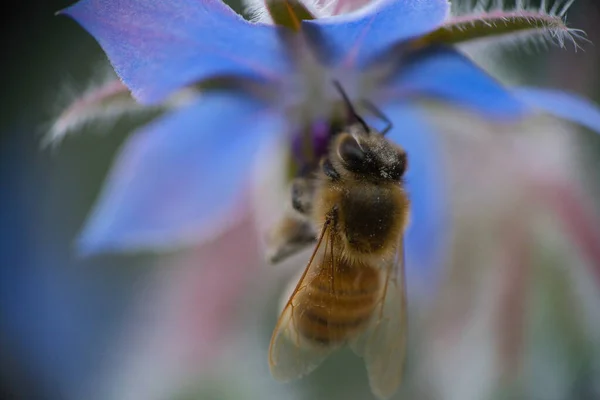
445	74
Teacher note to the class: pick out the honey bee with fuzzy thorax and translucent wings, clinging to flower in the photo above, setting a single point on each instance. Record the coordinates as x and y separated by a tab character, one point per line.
352	291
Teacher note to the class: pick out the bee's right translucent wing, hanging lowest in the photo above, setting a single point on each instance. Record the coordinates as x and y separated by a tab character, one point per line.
383	343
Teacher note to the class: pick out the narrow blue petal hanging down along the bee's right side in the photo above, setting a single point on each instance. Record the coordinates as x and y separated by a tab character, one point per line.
425	184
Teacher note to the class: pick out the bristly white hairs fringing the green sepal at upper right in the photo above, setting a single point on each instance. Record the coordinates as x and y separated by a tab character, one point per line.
548	23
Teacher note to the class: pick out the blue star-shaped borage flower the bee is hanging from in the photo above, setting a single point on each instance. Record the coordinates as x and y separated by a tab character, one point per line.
182	175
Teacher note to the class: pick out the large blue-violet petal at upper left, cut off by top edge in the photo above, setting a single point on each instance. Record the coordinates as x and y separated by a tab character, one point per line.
157	47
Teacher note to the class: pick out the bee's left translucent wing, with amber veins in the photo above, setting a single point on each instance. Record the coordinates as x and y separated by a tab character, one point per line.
290	355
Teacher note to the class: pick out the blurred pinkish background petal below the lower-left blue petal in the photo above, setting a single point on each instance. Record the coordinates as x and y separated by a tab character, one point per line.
185	319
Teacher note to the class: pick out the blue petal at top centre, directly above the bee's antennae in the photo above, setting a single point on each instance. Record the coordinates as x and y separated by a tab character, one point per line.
355	38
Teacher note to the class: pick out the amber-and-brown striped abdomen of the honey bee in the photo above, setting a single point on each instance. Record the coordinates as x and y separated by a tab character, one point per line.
335	307
